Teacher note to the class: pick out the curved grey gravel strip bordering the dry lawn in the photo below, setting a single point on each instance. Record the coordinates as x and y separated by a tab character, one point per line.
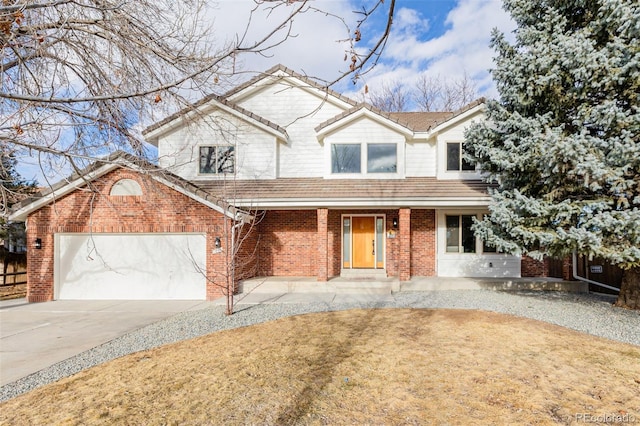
588	313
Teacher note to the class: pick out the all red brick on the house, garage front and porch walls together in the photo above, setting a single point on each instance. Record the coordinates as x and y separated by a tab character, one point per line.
281	243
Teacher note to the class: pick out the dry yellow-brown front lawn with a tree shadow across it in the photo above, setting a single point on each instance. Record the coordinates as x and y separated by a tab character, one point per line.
384	366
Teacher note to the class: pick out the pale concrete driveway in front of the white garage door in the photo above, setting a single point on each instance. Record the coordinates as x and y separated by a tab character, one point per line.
34	336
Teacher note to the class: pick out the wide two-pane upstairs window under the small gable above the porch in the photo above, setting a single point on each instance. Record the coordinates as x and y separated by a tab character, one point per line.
379	158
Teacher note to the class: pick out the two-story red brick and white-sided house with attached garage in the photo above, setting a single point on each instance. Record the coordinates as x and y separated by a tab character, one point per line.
331	188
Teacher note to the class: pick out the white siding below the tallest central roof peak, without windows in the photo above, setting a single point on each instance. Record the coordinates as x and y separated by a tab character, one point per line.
299	111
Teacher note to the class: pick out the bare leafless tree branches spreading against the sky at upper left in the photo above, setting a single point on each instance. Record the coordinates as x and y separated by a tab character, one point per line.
81	77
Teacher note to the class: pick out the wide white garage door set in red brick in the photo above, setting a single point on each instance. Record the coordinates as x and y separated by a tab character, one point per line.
130	266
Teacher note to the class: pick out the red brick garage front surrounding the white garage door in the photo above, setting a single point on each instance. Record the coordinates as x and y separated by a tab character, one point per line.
159	210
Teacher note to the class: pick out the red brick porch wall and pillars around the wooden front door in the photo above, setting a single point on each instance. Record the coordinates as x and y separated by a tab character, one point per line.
306	243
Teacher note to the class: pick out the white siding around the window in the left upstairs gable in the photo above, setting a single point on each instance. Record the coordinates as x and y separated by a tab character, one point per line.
255	149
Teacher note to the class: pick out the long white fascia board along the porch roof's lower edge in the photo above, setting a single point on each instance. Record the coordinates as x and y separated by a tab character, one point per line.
307	203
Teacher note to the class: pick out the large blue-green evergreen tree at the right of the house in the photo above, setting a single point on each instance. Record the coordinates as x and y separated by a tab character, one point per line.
562	144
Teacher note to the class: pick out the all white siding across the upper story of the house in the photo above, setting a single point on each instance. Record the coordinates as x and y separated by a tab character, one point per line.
298	108
